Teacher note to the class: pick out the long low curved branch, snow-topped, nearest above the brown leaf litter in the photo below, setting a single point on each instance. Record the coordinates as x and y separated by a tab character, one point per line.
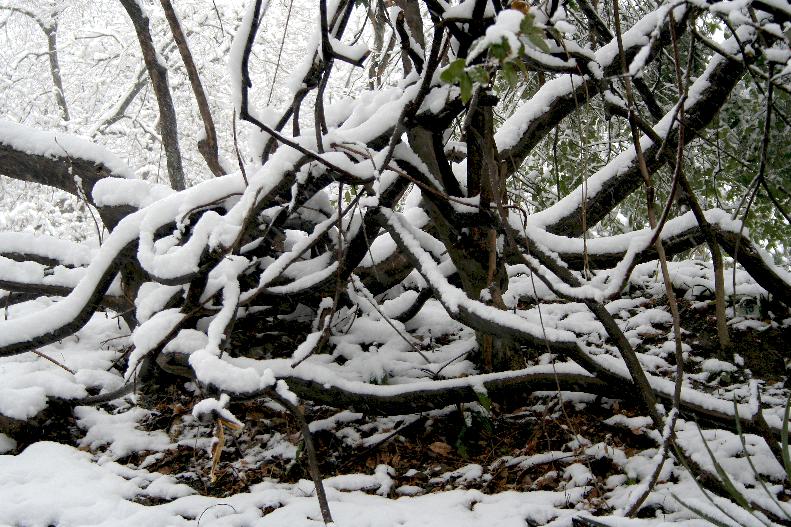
322	386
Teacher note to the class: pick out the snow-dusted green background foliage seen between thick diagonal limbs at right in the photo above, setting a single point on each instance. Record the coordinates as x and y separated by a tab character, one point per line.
720	164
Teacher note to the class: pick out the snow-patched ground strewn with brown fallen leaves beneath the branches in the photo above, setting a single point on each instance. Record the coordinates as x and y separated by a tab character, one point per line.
541	460
